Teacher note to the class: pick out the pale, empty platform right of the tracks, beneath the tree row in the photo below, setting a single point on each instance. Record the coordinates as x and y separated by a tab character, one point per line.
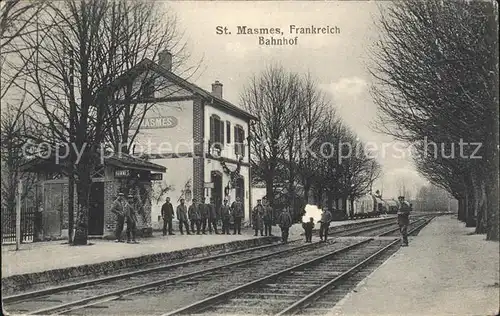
446	270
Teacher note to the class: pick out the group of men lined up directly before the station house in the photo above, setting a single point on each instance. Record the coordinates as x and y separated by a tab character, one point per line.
200	215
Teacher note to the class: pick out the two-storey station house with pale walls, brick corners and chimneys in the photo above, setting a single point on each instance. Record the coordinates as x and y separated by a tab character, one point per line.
201	139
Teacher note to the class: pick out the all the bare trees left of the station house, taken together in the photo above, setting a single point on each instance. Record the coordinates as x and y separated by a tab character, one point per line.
67	59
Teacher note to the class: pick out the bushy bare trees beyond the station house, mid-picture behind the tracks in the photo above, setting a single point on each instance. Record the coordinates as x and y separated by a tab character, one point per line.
299	141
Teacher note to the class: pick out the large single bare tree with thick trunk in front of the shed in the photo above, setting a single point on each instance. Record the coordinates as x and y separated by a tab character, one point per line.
75	72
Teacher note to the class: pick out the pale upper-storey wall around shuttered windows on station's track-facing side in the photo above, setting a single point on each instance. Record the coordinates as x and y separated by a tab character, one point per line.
228	149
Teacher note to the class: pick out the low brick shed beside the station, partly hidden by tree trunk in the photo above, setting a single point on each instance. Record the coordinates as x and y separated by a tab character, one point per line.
119	173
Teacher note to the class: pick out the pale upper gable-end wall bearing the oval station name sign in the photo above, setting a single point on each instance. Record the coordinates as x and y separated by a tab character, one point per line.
167	128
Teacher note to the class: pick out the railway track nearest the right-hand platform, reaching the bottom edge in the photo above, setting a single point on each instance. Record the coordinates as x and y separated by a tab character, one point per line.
299	288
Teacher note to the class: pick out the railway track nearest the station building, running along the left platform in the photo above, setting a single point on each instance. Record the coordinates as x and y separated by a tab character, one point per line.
82	295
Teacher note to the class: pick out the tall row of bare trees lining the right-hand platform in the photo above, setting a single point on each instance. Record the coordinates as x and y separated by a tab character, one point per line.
436	71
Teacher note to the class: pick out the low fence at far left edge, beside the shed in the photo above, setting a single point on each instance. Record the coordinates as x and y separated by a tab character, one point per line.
9	225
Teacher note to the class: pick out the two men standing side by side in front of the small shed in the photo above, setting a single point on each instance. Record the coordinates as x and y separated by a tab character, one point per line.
126	211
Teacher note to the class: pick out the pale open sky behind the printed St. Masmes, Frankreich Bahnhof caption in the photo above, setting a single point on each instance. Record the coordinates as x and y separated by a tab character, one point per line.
337	61
